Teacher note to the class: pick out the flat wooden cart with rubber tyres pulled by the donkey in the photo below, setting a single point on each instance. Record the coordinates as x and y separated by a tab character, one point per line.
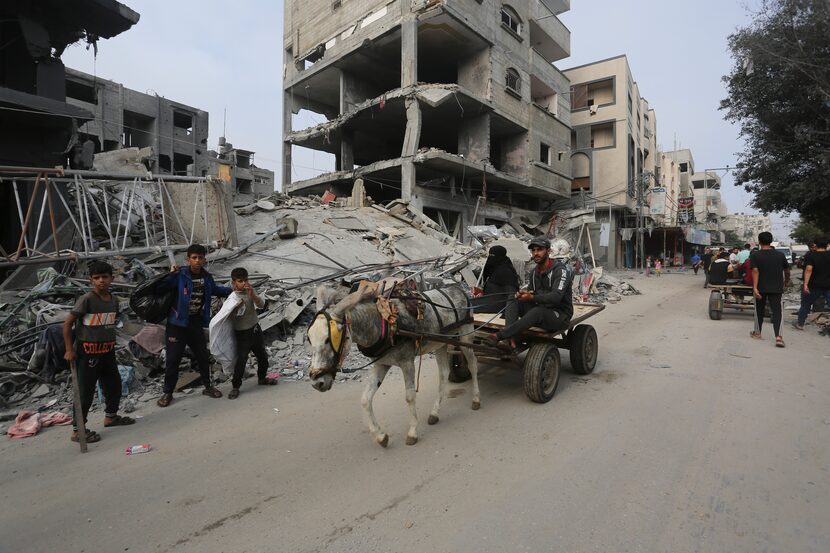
542	363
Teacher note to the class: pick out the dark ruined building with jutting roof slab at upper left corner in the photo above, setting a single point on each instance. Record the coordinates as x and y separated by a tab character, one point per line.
39	124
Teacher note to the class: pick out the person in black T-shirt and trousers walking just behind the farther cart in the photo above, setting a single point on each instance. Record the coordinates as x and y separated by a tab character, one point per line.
770	275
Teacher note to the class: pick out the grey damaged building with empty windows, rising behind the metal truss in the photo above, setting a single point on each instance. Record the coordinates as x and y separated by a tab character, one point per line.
125	118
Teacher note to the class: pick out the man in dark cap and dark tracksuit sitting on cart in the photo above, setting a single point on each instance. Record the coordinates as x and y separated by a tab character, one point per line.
547	303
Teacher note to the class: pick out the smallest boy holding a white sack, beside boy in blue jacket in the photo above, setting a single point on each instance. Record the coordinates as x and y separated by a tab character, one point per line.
235	332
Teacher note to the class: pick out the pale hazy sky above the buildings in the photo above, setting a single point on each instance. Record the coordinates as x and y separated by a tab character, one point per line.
217	55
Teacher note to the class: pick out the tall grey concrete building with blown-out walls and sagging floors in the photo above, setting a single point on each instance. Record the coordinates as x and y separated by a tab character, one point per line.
439	103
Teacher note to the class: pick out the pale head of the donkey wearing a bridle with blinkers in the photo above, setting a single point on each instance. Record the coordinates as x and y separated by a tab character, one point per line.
328	335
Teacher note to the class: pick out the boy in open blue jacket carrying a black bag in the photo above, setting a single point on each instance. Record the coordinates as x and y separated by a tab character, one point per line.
189	316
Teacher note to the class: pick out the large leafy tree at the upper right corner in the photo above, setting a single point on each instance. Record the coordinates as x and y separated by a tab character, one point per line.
779	94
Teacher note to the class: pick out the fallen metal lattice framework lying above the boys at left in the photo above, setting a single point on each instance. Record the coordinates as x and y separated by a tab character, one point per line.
107	214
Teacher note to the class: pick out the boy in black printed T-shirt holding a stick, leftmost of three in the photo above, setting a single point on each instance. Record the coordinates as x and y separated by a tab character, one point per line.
96	314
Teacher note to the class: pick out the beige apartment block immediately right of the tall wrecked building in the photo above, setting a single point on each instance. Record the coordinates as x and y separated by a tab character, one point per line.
613	151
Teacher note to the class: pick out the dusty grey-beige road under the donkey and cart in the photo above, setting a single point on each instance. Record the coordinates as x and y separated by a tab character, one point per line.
689	437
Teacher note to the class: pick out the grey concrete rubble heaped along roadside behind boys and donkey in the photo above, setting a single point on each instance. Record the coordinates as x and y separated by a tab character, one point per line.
289	245
